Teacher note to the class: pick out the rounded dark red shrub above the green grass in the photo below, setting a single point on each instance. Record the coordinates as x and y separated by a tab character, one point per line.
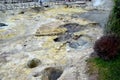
107	47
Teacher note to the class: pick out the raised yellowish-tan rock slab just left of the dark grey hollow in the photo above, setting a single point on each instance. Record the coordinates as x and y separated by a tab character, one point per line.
50	29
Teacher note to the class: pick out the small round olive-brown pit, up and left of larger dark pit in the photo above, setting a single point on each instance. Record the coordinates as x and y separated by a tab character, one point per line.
33	63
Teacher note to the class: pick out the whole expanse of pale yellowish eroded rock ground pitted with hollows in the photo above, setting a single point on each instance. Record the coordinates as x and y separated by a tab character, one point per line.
62	51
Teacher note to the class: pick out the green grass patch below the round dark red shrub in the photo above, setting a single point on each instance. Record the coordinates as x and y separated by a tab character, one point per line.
106	70
